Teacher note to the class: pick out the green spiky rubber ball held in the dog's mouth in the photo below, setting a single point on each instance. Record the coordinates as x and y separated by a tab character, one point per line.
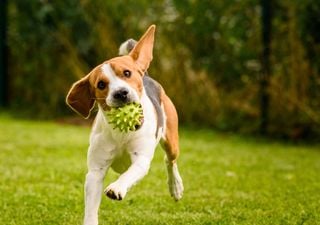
126	118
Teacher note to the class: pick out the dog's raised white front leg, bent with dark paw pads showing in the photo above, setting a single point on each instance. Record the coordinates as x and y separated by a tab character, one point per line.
138	169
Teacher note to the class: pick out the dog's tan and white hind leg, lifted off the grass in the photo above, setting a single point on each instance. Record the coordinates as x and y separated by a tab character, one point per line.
170	143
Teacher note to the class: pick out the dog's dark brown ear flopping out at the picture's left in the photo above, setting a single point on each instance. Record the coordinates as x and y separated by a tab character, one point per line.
80	98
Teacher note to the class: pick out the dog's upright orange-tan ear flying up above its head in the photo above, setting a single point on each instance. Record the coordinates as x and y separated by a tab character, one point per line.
142	51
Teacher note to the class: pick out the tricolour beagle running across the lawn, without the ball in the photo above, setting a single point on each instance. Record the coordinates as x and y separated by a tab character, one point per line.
113	83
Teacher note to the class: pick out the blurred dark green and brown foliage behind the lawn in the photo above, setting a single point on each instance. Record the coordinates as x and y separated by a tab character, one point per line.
207	56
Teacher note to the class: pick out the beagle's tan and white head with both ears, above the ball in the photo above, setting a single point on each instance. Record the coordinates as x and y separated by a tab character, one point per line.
115	82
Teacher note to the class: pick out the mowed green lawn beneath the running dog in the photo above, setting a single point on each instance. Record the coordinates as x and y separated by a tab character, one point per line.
228	179
